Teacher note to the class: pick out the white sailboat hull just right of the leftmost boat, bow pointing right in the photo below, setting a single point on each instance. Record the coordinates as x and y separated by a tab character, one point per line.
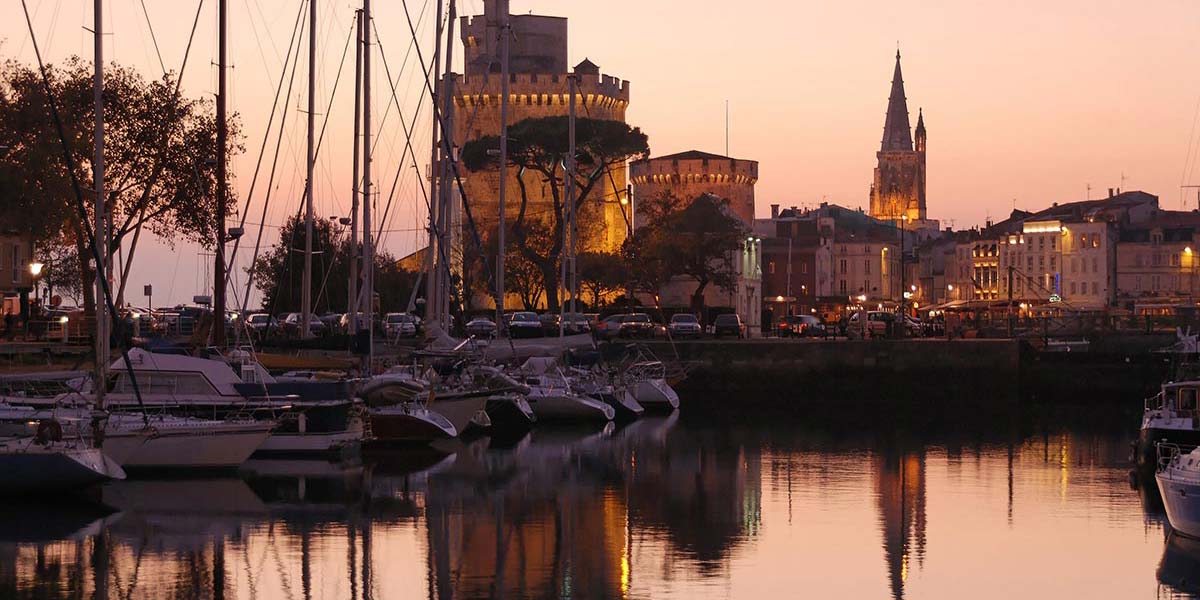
202	445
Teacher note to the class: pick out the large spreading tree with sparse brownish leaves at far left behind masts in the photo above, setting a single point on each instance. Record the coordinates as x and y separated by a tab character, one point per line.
160	167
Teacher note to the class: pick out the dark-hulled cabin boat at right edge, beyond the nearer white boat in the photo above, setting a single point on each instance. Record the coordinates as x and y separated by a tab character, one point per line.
1173	416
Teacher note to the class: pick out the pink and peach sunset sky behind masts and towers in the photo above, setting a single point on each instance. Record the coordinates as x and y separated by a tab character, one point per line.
1027	103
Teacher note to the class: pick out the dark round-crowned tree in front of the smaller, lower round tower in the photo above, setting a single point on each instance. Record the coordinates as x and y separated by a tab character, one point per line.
698	241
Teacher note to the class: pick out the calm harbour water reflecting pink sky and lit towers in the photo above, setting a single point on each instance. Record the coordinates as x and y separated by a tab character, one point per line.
659	509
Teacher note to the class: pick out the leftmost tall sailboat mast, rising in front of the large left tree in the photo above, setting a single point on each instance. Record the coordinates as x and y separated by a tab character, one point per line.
98	169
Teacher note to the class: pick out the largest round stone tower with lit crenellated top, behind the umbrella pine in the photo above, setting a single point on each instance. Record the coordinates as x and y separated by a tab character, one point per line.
538	87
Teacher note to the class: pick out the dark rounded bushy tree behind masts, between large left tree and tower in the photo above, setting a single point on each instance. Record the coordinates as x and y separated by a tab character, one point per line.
278	274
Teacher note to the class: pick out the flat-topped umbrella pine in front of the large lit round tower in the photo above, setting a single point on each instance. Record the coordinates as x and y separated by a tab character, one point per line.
539	146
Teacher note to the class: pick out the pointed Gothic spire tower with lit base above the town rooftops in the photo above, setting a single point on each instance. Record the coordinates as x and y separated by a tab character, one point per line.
899	187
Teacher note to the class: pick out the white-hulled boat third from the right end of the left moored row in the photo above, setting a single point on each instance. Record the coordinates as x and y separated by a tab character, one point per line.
553	398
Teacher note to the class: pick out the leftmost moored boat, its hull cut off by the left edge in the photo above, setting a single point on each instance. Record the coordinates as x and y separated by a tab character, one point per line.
49	464
